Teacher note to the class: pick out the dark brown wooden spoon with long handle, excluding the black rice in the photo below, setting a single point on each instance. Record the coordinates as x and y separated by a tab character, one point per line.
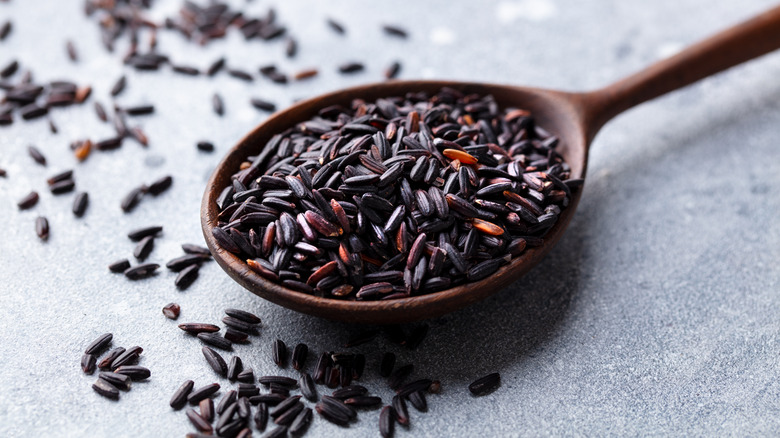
574	117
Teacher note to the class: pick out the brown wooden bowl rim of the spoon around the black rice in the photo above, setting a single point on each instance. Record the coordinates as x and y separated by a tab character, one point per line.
555	111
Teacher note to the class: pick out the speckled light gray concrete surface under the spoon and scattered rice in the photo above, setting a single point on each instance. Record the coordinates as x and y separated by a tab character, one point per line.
657	314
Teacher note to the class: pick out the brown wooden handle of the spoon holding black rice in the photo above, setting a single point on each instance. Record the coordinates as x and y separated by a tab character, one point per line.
745	41
